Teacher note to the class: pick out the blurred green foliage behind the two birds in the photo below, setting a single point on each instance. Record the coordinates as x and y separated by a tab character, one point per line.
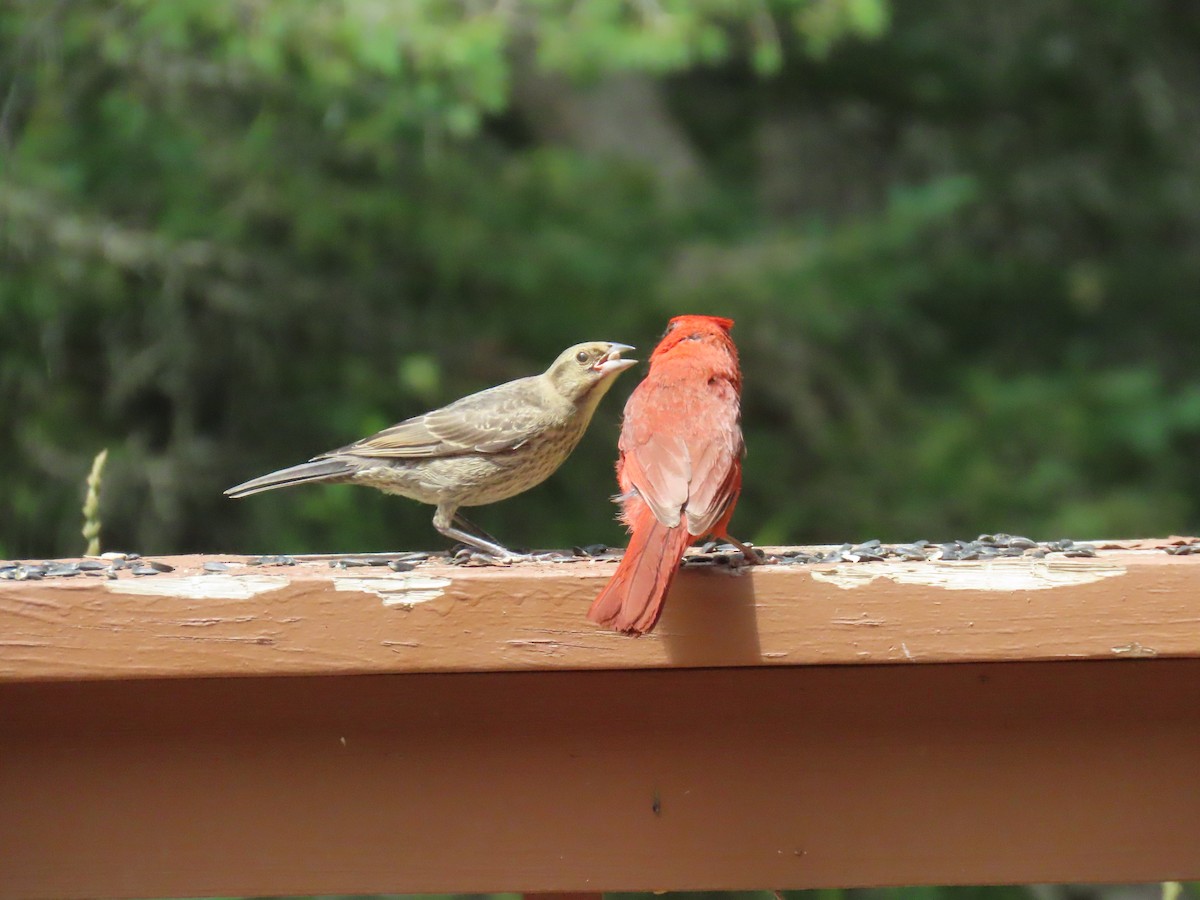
962	243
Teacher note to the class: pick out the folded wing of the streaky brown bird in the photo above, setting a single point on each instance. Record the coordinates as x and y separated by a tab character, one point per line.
491	422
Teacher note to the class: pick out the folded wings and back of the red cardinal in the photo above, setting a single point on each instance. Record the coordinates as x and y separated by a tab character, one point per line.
691	467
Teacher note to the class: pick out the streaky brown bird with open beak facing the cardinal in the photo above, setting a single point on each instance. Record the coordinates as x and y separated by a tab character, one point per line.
484	448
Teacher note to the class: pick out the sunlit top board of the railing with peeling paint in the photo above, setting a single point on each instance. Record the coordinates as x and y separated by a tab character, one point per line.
311	619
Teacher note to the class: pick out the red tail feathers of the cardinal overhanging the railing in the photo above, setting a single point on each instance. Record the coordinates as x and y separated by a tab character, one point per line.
632	602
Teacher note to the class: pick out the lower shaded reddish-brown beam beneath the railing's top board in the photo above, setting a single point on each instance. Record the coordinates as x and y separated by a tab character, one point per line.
580	782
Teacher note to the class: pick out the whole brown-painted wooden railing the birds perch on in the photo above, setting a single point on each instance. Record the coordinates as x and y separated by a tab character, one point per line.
225	729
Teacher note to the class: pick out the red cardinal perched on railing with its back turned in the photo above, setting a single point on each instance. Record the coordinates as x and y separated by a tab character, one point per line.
680	469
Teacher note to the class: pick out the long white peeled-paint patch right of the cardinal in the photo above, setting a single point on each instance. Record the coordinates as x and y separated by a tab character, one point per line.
989	575
